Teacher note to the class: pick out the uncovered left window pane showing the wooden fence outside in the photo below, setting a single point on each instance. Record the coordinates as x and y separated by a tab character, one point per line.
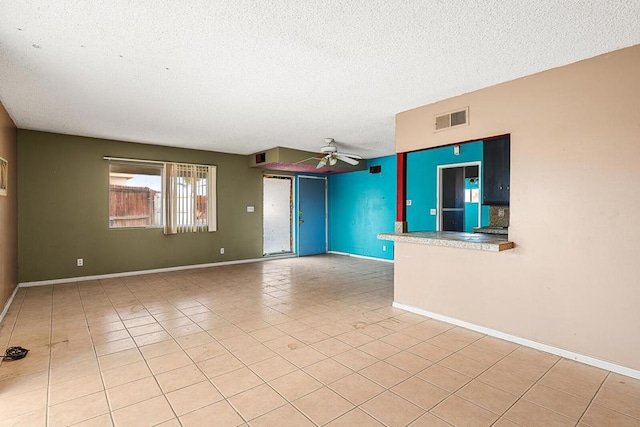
135	195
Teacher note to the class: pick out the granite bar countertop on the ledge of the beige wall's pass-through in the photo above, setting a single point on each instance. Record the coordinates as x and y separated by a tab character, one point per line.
452	239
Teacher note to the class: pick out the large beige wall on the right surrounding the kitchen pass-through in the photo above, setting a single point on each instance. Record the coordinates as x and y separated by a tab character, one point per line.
573	280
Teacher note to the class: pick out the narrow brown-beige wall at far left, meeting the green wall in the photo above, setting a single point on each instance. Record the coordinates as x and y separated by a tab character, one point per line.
8	212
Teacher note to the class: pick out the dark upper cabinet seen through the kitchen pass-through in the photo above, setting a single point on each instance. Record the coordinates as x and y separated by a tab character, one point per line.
496	171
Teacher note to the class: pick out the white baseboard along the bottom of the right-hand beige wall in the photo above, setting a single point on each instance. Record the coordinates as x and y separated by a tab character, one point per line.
588	360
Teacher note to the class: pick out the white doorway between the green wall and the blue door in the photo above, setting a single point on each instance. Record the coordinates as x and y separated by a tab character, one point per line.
277	219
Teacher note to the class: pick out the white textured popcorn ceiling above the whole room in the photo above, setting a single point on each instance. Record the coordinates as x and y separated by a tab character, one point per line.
243	76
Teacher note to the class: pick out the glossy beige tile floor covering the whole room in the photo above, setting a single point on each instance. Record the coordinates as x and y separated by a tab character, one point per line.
288	342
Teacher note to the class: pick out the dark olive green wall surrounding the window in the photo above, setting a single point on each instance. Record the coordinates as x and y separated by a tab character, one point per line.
63	212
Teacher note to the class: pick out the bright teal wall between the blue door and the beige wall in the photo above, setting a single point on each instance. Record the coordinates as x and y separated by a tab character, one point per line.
361	205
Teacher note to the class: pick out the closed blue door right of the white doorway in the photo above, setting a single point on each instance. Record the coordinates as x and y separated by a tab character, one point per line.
312	215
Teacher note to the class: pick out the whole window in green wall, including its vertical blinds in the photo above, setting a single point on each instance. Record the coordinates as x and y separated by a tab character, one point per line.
179	197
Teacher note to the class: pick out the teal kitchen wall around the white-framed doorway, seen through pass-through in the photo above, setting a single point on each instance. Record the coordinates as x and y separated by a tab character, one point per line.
422	171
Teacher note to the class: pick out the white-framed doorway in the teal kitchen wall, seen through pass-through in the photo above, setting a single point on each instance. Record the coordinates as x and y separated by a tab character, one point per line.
459	190
